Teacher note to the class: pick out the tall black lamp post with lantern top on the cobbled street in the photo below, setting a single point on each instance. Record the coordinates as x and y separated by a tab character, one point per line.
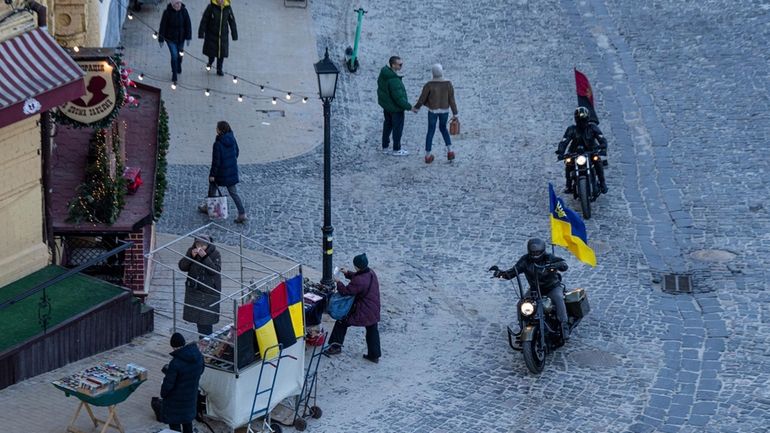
327	86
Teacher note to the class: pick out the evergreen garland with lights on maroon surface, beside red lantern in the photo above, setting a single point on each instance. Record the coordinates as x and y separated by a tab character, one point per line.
100	199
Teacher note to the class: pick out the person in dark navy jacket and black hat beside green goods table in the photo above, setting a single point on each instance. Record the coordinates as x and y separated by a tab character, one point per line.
180	385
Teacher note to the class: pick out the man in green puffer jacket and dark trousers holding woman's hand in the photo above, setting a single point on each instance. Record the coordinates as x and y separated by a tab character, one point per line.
391	95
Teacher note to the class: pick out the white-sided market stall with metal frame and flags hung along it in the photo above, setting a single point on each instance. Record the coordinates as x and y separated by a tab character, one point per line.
255	359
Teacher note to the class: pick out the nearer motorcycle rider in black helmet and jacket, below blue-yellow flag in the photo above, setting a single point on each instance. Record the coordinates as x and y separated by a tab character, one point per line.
541	268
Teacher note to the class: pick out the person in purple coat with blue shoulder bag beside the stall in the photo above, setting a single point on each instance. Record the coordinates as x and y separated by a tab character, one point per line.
365	311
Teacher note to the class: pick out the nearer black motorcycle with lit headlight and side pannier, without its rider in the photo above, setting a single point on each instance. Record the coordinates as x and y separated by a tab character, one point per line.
540	331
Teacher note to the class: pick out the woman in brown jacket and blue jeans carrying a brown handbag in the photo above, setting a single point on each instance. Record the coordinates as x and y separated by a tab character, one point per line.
438	95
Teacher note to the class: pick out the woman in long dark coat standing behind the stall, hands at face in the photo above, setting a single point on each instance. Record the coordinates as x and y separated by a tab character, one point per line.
203	287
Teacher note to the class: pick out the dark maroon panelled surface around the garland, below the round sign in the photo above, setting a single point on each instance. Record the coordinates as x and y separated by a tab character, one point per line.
68	166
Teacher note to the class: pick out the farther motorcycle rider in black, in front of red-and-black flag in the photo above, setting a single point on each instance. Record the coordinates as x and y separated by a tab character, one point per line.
587	134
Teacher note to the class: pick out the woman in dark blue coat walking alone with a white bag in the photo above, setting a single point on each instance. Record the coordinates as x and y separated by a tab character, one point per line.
224	169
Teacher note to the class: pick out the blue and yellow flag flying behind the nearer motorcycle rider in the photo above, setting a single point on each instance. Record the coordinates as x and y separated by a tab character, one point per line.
569	231
